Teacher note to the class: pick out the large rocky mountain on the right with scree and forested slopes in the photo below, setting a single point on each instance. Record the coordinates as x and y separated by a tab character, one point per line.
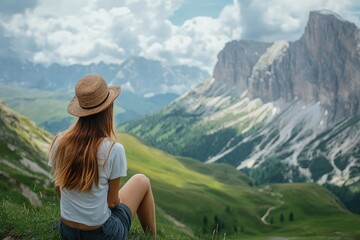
281	112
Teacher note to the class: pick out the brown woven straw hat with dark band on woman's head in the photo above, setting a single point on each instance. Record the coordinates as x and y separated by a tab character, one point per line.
92	95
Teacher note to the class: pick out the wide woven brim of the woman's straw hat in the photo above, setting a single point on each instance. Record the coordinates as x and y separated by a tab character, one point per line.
75	109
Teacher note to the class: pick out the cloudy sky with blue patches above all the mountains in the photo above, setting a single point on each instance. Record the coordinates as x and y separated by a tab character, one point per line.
175	32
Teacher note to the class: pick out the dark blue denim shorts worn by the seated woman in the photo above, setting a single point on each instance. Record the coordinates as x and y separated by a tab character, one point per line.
115	228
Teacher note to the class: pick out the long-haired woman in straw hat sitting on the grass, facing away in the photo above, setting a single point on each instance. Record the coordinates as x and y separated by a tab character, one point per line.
88	164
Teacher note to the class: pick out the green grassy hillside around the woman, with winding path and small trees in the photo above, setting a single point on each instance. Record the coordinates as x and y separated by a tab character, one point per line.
194	201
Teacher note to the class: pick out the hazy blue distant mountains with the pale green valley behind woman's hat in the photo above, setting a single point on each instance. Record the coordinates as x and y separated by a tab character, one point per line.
147	85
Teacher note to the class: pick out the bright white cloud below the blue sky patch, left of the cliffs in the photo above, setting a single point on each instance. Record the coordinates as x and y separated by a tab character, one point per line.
198	40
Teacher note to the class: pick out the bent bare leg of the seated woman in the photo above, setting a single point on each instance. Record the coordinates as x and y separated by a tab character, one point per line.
137	195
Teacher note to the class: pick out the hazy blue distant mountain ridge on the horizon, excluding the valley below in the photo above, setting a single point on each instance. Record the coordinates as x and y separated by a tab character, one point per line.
148	77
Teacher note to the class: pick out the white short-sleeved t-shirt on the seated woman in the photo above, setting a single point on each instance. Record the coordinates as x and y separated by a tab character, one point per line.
91	208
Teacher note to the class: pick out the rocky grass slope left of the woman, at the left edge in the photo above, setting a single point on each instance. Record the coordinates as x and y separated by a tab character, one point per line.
23	162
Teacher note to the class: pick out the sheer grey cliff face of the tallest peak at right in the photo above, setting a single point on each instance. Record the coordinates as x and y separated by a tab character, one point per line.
322	66
